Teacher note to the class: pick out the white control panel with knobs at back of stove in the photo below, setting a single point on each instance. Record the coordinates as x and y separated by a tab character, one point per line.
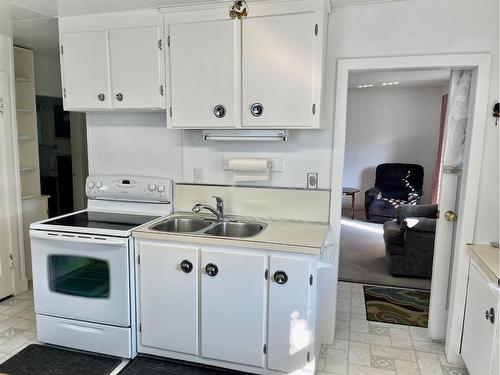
129	188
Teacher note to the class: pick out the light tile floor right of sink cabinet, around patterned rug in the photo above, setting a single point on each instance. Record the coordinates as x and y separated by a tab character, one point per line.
370	348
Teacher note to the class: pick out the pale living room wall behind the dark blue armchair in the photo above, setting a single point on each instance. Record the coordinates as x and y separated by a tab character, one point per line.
390	125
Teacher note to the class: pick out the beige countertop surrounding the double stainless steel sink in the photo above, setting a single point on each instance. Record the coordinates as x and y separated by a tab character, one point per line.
287	236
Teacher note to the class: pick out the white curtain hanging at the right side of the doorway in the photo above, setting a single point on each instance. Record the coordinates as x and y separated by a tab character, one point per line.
458	108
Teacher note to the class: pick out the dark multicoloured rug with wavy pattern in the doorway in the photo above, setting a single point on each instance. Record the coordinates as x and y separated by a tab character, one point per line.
398	306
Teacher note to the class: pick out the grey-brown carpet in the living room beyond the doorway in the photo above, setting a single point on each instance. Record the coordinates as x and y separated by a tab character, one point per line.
362	255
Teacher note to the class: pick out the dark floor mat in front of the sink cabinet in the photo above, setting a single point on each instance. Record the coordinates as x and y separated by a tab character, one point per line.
145	365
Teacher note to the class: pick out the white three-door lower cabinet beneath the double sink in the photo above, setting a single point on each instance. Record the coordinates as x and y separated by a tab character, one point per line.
251	310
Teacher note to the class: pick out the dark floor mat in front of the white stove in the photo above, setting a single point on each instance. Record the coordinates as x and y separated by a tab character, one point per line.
46	360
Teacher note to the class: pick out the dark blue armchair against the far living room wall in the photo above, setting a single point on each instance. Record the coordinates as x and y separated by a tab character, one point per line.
395	184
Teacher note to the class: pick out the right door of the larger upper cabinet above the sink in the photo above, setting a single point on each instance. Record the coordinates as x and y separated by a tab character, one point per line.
277	70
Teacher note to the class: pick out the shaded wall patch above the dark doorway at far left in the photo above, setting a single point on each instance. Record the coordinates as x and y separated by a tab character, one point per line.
47	73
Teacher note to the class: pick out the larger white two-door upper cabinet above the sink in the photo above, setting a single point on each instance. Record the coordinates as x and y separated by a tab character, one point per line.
263	71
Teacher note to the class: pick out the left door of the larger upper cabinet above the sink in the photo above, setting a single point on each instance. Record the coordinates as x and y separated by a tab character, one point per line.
203	74
